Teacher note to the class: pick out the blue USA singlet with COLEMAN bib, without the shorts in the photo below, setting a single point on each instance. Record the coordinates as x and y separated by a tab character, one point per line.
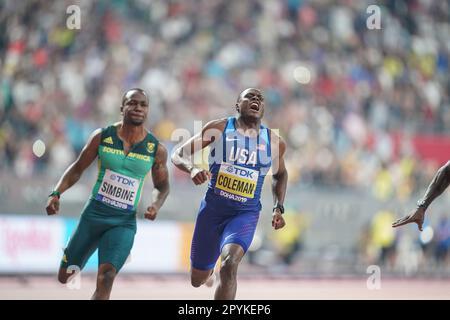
239	165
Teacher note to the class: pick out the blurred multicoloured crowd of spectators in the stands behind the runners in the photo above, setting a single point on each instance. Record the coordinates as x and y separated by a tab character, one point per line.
337	91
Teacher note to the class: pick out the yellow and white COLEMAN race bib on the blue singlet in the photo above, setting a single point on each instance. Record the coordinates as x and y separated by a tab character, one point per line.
236	182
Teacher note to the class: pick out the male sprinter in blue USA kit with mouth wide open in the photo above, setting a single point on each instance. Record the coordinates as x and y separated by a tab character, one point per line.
242	151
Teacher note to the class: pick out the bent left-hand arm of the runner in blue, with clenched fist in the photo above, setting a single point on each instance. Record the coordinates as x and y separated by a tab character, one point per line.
182	157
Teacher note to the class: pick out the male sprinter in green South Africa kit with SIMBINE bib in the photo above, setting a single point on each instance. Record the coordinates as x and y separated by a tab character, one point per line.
126	154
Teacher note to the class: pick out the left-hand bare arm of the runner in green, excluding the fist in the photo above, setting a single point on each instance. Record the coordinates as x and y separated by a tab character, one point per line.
84	160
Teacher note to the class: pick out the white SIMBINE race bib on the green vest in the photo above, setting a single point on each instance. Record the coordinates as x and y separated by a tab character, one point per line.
118	190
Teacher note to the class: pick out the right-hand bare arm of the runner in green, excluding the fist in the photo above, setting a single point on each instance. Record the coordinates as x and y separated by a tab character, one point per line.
160	177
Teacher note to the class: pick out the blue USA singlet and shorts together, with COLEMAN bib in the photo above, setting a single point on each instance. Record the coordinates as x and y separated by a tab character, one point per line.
230	210
